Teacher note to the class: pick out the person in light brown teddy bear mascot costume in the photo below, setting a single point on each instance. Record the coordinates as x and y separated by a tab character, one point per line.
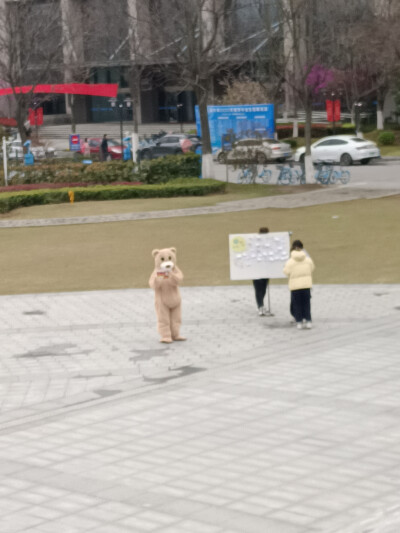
165	280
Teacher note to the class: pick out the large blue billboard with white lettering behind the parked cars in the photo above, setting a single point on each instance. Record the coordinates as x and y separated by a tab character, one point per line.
229	123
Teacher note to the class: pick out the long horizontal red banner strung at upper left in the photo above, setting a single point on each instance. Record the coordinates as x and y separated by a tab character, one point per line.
90	89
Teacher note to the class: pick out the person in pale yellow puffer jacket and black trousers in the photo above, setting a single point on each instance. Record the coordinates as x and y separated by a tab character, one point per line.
299	269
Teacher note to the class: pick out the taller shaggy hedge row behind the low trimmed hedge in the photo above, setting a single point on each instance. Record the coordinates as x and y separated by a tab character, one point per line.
154	171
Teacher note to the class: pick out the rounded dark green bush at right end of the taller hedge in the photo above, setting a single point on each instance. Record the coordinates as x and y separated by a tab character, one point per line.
170	167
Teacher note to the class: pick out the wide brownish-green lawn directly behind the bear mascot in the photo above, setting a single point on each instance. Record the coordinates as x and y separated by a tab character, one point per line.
350	242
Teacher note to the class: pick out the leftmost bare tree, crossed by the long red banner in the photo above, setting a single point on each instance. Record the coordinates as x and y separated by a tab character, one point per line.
31	49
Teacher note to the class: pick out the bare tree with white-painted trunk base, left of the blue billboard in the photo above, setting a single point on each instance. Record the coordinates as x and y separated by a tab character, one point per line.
188	39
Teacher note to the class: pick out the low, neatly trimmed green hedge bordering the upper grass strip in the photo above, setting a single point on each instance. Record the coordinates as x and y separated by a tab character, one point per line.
187	187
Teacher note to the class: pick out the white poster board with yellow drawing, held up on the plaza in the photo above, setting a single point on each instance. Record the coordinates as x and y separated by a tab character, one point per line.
258	255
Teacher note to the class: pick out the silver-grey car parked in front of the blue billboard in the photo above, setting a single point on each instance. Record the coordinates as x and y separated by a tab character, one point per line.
258	150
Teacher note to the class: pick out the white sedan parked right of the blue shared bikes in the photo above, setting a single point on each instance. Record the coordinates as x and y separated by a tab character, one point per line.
343	149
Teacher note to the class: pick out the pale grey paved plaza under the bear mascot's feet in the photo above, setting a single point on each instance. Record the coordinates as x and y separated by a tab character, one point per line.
250	426
